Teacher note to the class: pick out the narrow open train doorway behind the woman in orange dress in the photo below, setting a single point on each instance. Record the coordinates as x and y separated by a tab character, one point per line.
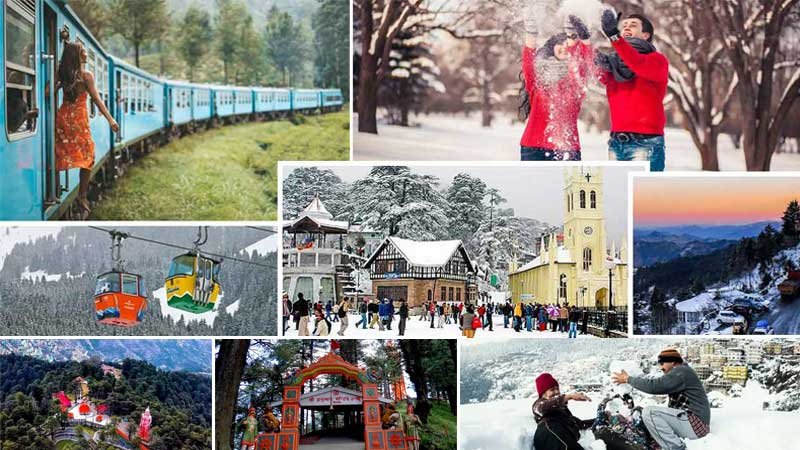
52	183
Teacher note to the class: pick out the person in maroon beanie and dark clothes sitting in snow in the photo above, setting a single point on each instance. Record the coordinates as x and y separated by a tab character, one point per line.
557	428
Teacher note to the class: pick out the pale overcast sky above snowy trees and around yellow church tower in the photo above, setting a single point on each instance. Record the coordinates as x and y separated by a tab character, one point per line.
533	192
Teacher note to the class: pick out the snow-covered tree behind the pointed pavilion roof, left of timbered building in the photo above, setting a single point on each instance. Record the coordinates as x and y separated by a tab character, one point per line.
300	187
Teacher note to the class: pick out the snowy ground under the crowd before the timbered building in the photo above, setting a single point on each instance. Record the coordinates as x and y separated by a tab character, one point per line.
415	328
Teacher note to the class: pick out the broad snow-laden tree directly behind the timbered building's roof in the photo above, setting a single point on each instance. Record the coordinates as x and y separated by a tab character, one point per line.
400	203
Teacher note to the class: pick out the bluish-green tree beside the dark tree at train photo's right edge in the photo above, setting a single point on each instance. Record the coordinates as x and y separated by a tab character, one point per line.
286	44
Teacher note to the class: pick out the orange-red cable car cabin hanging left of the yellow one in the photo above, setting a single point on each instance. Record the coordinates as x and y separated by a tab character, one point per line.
120	299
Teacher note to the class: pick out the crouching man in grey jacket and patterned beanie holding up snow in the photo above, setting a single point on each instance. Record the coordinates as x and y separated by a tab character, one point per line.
687	415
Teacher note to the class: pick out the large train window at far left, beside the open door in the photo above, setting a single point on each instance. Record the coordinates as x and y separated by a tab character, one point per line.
20	51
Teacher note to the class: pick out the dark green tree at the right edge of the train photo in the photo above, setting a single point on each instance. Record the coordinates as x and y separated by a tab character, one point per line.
332	45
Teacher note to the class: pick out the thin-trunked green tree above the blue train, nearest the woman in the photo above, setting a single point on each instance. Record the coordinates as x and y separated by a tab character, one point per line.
140	22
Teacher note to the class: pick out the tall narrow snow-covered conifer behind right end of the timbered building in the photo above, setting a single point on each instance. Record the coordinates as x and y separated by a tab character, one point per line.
465	205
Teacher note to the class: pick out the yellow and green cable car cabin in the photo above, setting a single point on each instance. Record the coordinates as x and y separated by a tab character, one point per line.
193	283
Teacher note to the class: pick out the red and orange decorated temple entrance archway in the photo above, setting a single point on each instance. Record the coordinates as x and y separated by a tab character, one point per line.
375	438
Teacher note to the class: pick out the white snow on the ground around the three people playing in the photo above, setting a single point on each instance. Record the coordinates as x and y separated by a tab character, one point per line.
738	424
